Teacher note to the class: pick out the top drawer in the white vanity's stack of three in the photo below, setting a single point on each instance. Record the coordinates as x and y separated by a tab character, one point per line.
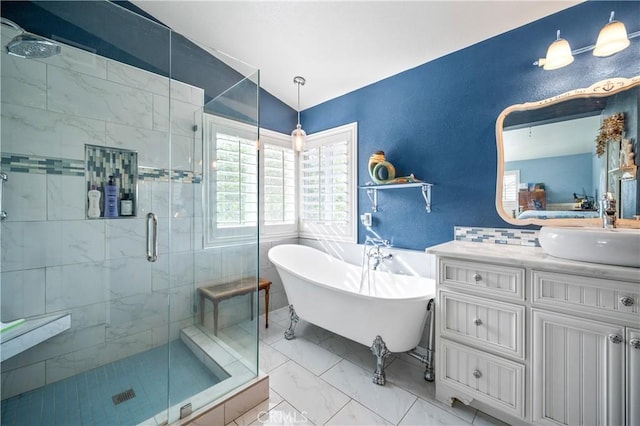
498	280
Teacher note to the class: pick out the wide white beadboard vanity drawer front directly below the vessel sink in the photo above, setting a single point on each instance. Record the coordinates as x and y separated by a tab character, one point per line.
614	299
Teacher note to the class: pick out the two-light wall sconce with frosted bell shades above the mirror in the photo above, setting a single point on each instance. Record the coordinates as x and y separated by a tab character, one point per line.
612	39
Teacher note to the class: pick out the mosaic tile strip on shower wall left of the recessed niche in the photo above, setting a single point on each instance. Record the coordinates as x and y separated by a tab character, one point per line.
41	165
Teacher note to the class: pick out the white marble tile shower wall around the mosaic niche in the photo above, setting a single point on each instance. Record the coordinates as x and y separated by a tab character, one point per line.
53	258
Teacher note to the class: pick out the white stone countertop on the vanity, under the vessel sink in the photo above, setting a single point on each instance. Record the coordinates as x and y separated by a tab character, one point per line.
534	257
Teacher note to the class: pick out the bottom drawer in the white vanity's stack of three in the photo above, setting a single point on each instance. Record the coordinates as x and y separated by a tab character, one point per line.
487	378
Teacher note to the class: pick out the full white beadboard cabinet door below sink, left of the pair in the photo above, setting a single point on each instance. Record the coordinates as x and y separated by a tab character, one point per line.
578	371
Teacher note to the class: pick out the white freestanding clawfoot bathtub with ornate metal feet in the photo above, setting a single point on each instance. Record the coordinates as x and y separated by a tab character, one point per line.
385	311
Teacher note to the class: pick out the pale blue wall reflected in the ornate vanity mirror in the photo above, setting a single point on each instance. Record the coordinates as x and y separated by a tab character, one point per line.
562	176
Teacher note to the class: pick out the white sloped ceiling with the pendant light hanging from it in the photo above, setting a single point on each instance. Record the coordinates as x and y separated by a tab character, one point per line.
341	46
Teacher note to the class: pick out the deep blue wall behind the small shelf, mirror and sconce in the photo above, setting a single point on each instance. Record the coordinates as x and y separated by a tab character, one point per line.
438	120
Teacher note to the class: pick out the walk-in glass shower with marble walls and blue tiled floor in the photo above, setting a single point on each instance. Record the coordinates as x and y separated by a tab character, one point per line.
119	201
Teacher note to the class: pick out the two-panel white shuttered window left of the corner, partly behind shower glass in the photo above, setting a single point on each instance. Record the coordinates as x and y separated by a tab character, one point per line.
244	187
